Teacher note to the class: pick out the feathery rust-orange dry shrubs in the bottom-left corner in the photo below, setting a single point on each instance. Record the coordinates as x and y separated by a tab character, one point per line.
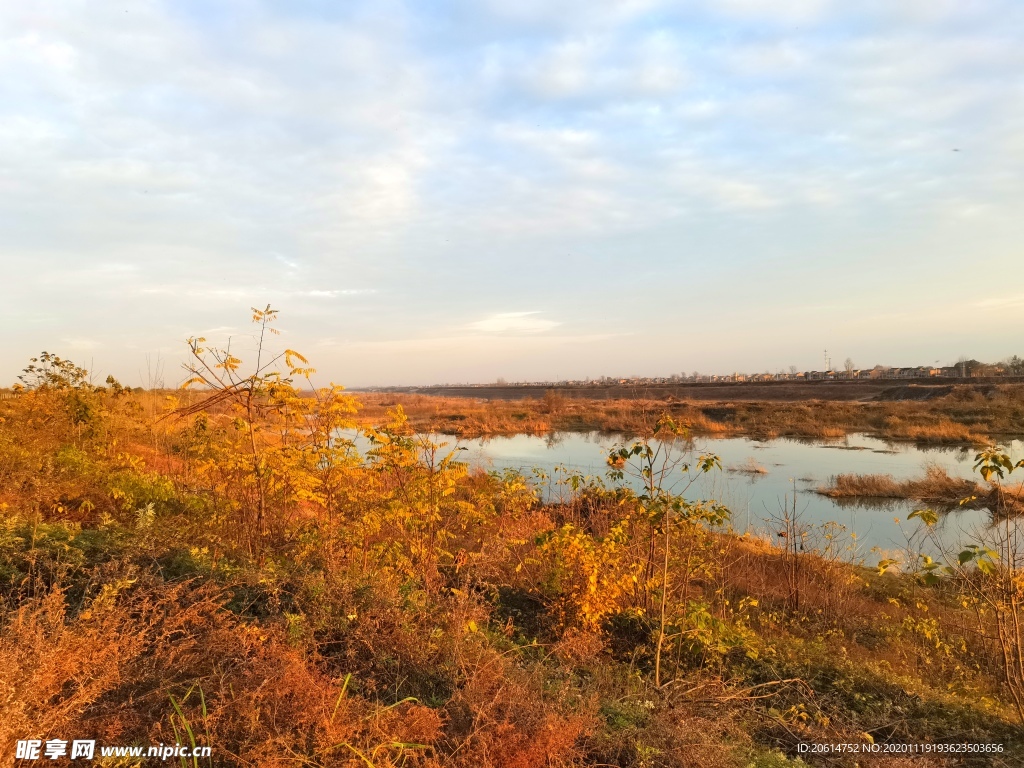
140	662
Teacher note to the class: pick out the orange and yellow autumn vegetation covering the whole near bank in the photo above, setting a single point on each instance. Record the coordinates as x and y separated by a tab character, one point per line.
219	564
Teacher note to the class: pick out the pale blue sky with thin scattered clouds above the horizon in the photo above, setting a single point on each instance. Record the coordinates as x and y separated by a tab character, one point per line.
530	190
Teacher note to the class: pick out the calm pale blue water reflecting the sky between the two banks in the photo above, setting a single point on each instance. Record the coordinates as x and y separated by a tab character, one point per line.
866	531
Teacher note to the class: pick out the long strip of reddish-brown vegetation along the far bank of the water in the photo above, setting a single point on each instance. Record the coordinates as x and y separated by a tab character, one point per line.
965	415
